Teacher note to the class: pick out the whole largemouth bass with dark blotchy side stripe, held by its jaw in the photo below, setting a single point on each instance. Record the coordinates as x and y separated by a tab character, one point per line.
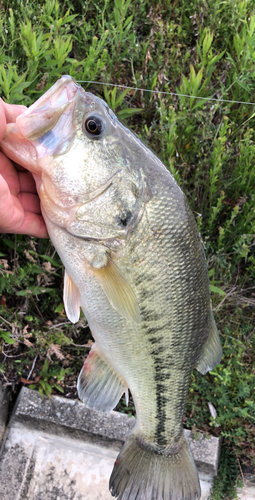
134	262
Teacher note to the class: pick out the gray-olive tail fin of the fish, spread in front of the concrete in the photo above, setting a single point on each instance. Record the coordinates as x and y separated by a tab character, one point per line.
142	474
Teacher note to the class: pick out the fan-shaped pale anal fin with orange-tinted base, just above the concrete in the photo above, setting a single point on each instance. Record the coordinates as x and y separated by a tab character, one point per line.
99	386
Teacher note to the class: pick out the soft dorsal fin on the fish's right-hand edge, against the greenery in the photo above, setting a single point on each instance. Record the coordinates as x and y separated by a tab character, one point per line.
211	353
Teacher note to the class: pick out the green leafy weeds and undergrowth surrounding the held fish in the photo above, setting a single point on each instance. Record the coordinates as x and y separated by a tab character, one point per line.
198	48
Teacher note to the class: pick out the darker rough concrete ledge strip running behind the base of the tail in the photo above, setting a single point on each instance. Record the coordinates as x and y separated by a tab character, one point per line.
60	416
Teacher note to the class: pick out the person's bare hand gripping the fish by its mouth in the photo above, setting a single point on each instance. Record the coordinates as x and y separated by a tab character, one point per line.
20	211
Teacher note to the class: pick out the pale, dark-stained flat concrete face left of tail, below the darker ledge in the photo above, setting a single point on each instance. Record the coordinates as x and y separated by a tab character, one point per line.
40	466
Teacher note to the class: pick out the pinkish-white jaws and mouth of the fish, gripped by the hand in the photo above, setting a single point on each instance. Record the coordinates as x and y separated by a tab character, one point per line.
31	137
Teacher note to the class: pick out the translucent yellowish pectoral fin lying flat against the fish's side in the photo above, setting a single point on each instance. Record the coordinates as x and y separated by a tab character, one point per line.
118	291
